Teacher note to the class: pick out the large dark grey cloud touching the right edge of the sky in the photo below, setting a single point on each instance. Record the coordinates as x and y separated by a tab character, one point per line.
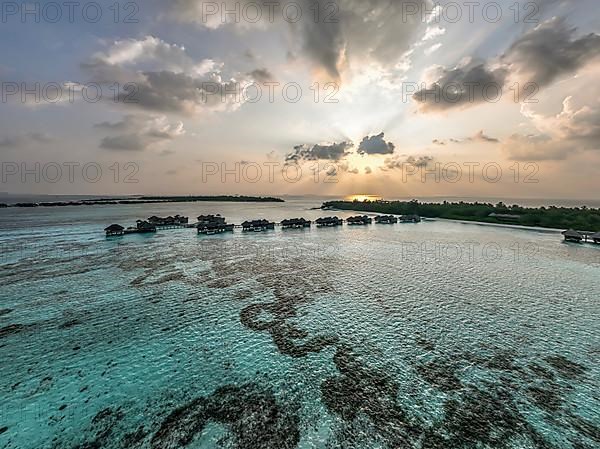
550	51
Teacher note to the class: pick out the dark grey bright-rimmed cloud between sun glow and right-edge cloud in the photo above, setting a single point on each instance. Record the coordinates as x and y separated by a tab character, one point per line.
469	83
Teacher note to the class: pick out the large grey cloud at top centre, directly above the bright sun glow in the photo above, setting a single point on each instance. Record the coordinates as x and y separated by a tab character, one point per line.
346	32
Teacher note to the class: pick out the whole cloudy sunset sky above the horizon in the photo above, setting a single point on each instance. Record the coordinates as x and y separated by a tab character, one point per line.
396	98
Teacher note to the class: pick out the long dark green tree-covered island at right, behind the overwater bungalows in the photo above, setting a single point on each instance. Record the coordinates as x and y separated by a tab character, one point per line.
582	219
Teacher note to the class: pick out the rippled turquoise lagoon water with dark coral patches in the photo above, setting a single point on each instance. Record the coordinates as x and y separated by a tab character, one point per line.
434	335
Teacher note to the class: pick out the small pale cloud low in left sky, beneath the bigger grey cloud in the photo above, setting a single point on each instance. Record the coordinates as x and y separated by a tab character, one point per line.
139	133
